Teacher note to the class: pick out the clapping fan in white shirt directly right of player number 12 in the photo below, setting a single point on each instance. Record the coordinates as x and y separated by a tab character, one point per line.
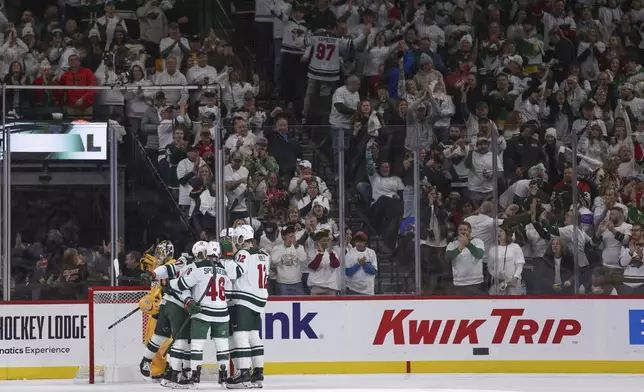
287	260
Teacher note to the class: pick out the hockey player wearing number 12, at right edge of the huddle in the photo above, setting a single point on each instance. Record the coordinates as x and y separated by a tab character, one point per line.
248	299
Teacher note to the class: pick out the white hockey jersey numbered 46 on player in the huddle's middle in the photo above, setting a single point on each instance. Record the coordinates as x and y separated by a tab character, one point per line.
199	278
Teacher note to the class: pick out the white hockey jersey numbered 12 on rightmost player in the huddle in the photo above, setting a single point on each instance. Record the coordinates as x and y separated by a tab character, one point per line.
249	272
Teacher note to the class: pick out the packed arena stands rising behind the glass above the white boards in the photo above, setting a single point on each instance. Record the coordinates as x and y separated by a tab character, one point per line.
459	147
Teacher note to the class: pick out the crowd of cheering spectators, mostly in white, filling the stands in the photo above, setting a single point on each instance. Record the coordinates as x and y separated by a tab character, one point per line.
479	97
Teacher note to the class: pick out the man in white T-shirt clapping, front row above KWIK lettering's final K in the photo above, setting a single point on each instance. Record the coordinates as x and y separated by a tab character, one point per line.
466	255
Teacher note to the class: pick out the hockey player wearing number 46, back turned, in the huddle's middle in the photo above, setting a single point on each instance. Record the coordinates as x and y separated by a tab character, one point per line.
203	286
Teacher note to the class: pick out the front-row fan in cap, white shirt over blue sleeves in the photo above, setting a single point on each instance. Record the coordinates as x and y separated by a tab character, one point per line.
361	266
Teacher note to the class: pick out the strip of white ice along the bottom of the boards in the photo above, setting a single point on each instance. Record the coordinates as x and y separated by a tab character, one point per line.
382	383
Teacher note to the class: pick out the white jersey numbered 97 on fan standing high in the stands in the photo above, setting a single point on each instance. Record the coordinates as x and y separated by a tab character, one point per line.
324	52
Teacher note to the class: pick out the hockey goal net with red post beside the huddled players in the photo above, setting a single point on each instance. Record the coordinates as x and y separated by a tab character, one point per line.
115	353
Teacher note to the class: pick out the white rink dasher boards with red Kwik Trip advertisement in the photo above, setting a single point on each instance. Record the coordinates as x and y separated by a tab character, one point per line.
356	335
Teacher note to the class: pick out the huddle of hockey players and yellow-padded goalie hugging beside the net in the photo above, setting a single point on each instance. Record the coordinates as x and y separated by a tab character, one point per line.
221	289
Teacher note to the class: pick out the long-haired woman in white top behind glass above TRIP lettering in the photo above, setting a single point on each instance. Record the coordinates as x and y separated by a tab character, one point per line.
505	265
